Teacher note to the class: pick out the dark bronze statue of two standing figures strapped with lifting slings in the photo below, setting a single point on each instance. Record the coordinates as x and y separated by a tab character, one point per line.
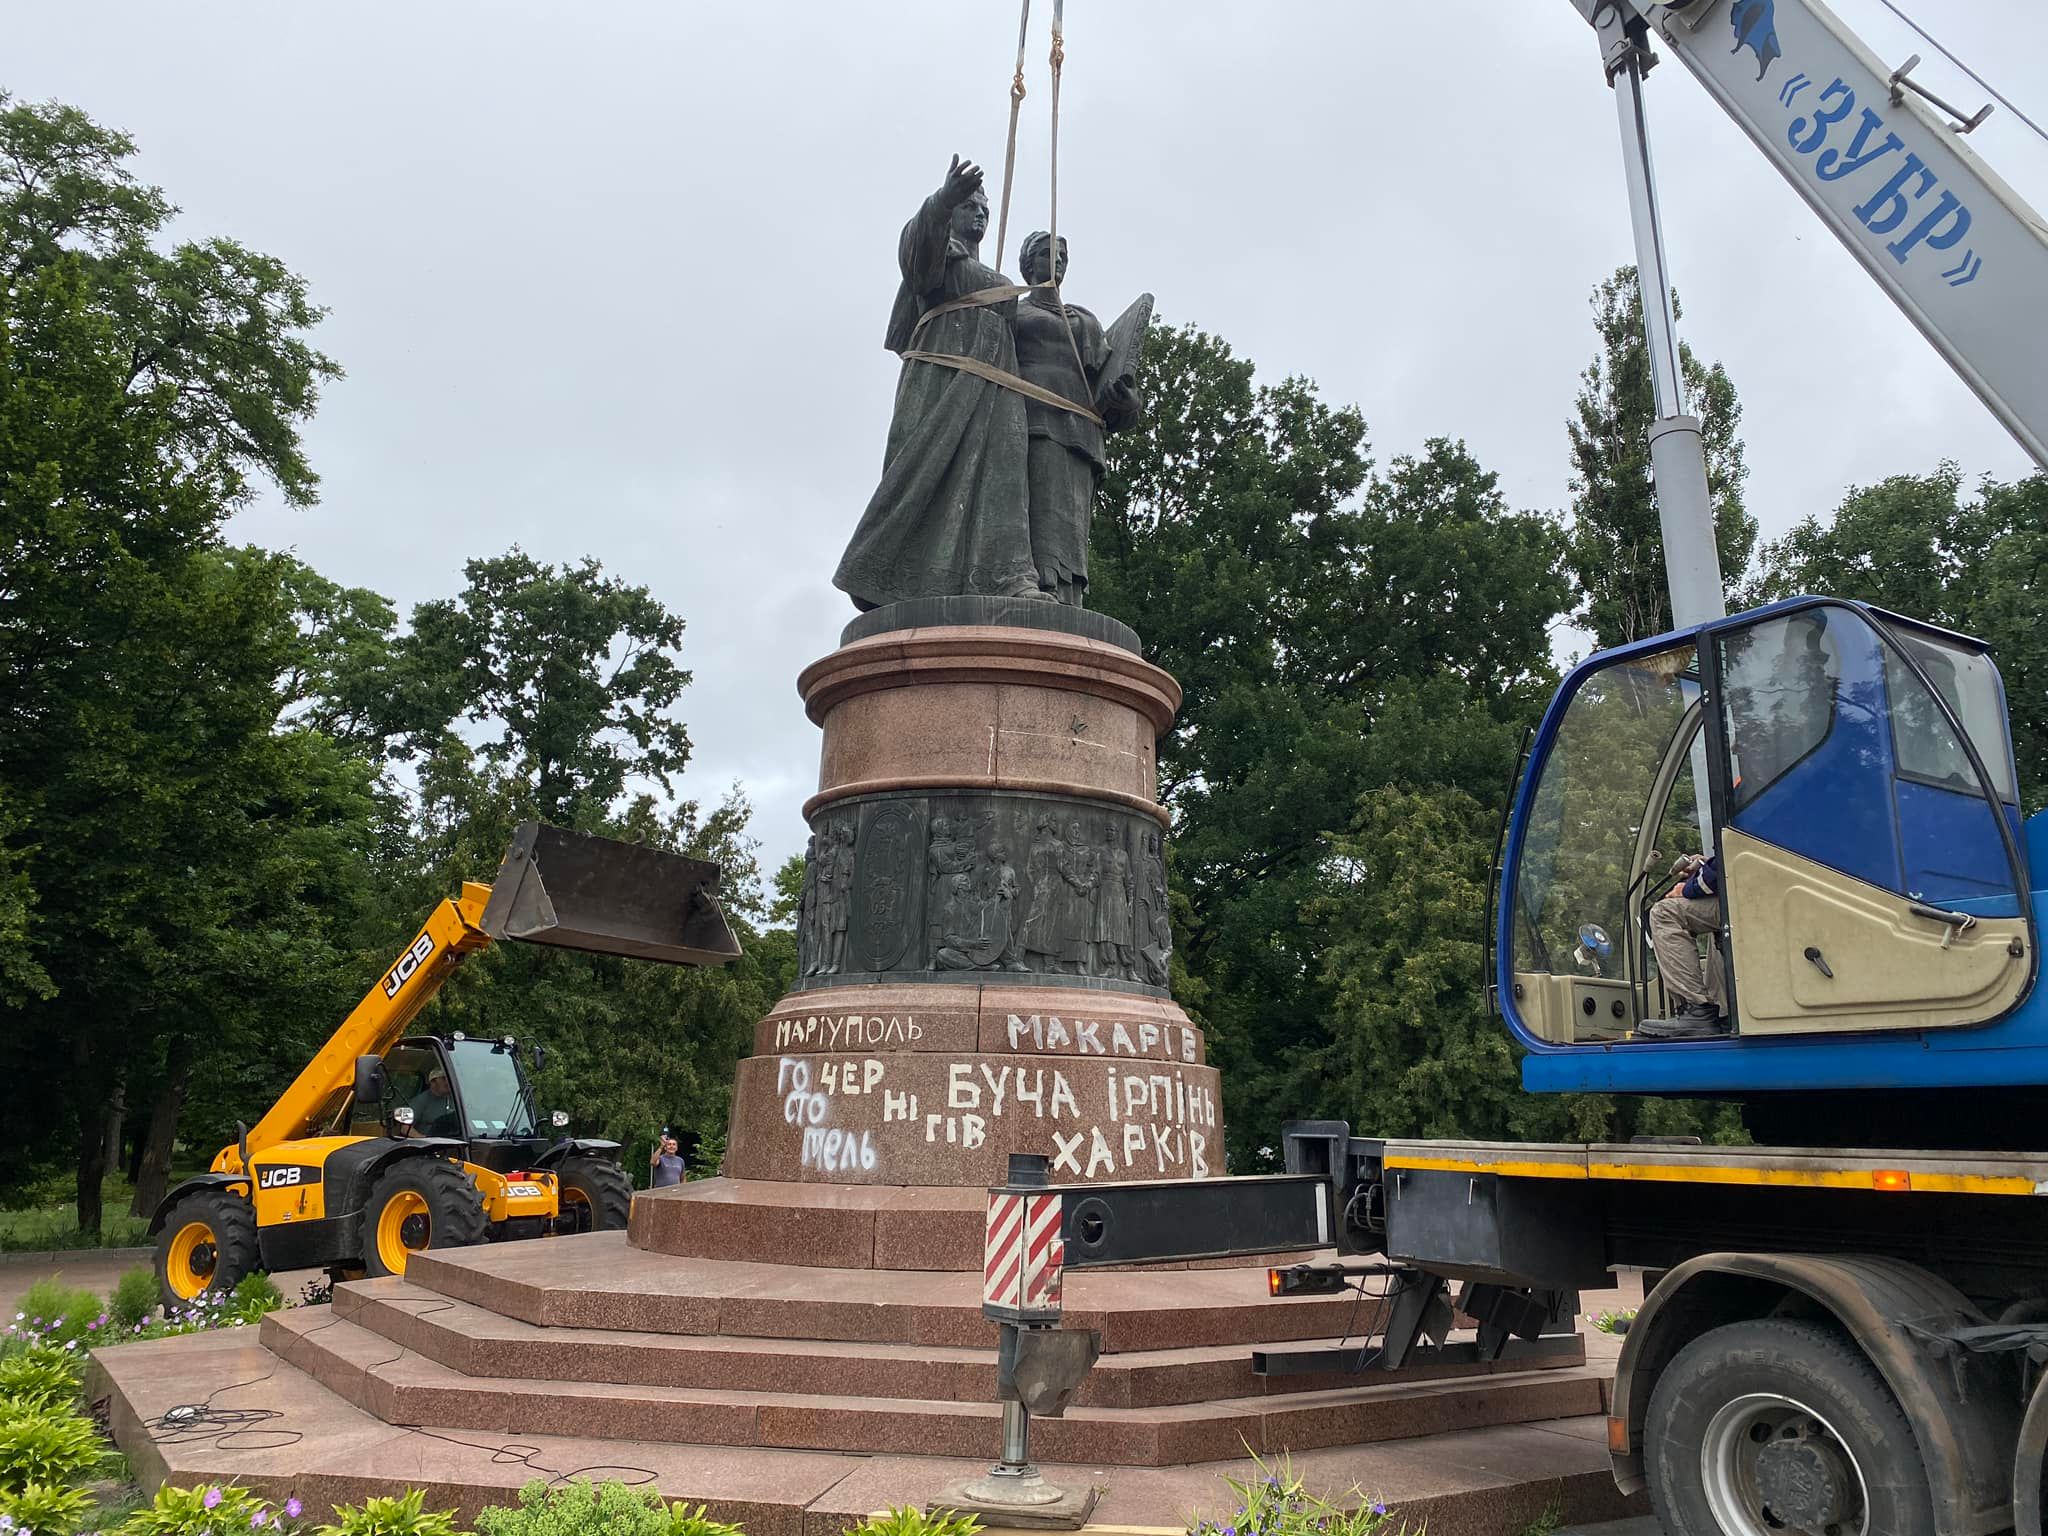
996	441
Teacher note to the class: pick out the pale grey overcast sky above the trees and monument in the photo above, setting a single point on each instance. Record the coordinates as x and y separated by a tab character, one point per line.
611	280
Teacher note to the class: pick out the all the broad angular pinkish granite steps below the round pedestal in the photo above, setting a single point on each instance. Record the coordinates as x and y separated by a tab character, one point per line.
775	1392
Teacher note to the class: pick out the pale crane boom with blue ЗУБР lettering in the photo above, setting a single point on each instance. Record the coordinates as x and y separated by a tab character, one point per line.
1957	249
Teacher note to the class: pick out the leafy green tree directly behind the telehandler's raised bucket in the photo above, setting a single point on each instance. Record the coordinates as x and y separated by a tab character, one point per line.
558	693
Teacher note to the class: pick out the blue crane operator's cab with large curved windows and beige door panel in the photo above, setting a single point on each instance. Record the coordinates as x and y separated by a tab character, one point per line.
1854	777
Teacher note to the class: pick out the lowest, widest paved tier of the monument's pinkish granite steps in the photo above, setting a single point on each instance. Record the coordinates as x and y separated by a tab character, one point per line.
327	1451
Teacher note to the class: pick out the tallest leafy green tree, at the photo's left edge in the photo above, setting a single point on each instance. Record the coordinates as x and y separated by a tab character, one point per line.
144	390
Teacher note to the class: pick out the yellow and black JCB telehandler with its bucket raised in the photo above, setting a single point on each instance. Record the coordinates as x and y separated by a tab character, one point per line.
392	1144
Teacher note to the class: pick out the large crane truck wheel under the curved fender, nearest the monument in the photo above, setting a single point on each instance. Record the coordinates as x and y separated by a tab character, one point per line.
1777	1428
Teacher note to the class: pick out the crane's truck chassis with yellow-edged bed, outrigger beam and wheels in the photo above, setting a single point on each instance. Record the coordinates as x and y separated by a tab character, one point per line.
1807	1299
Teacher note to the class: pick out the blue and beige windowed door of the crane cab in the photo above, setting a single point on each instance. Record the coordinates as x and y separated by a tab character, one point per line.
1869	871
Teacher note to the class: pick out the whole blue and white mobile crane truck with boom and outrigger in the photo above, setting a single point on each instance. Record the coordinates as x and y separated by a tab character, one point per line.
1836	1340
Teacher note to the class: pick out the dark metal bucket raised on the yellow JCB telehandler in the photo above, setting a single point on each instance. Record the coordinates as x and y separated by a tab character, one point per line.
611	898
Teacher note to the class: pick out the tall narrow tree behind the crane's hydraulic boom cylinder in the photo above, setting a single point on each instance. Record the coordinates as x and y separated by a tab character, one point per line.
1617	542
